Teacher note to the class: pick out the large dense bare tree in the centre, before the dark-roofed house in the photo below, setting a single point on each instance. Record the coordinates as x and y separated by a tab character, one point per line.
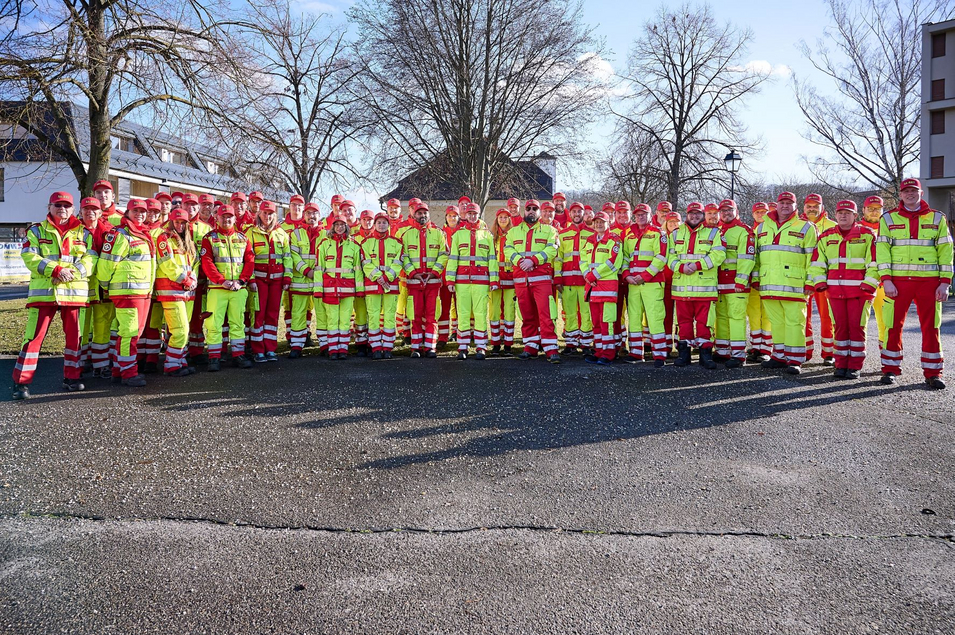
460	89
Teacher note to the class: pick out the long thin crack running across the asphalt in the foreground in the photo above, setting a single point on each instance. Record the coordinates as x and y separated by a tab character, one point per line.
948	538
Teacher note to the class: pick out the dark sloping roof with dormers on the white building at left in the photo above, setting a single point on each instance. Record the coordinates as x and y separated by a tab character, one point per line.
148	164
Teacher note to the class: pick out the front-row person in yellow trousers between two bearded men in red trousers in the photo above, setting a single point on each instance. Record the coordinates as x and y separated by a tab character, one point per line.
472	272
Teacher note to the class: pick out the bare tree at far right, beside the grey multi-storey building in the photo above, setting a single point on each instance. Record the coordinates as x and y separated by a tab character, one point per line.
869	118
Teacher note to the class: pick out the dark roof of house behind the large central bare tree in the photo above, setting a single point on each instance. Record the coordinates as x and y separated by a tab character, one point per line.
529	181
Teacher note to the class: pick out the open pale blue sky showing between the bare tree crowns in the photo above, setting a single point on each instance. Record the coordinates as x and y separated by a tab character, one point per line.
772	114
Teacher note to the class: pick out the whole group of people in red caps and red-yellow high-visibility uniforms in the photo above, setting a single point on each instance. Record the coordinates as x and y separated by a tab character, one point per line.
197	277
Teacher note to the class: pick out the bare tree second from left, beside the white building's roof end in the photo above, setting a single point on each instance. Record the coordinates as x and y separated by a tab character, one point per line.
292	115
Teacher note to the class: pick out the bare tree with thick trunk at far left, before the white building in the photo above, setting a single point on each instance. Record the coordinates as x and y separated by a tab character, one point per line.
117	56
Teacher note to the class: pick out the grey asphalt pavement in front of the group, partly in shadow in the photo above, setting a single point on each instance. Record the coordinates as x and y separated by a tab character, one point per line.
437	496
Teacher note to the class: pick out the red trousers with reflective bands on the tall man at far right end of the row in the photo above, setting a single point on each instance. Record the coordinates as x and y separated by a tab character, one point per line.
922	292
